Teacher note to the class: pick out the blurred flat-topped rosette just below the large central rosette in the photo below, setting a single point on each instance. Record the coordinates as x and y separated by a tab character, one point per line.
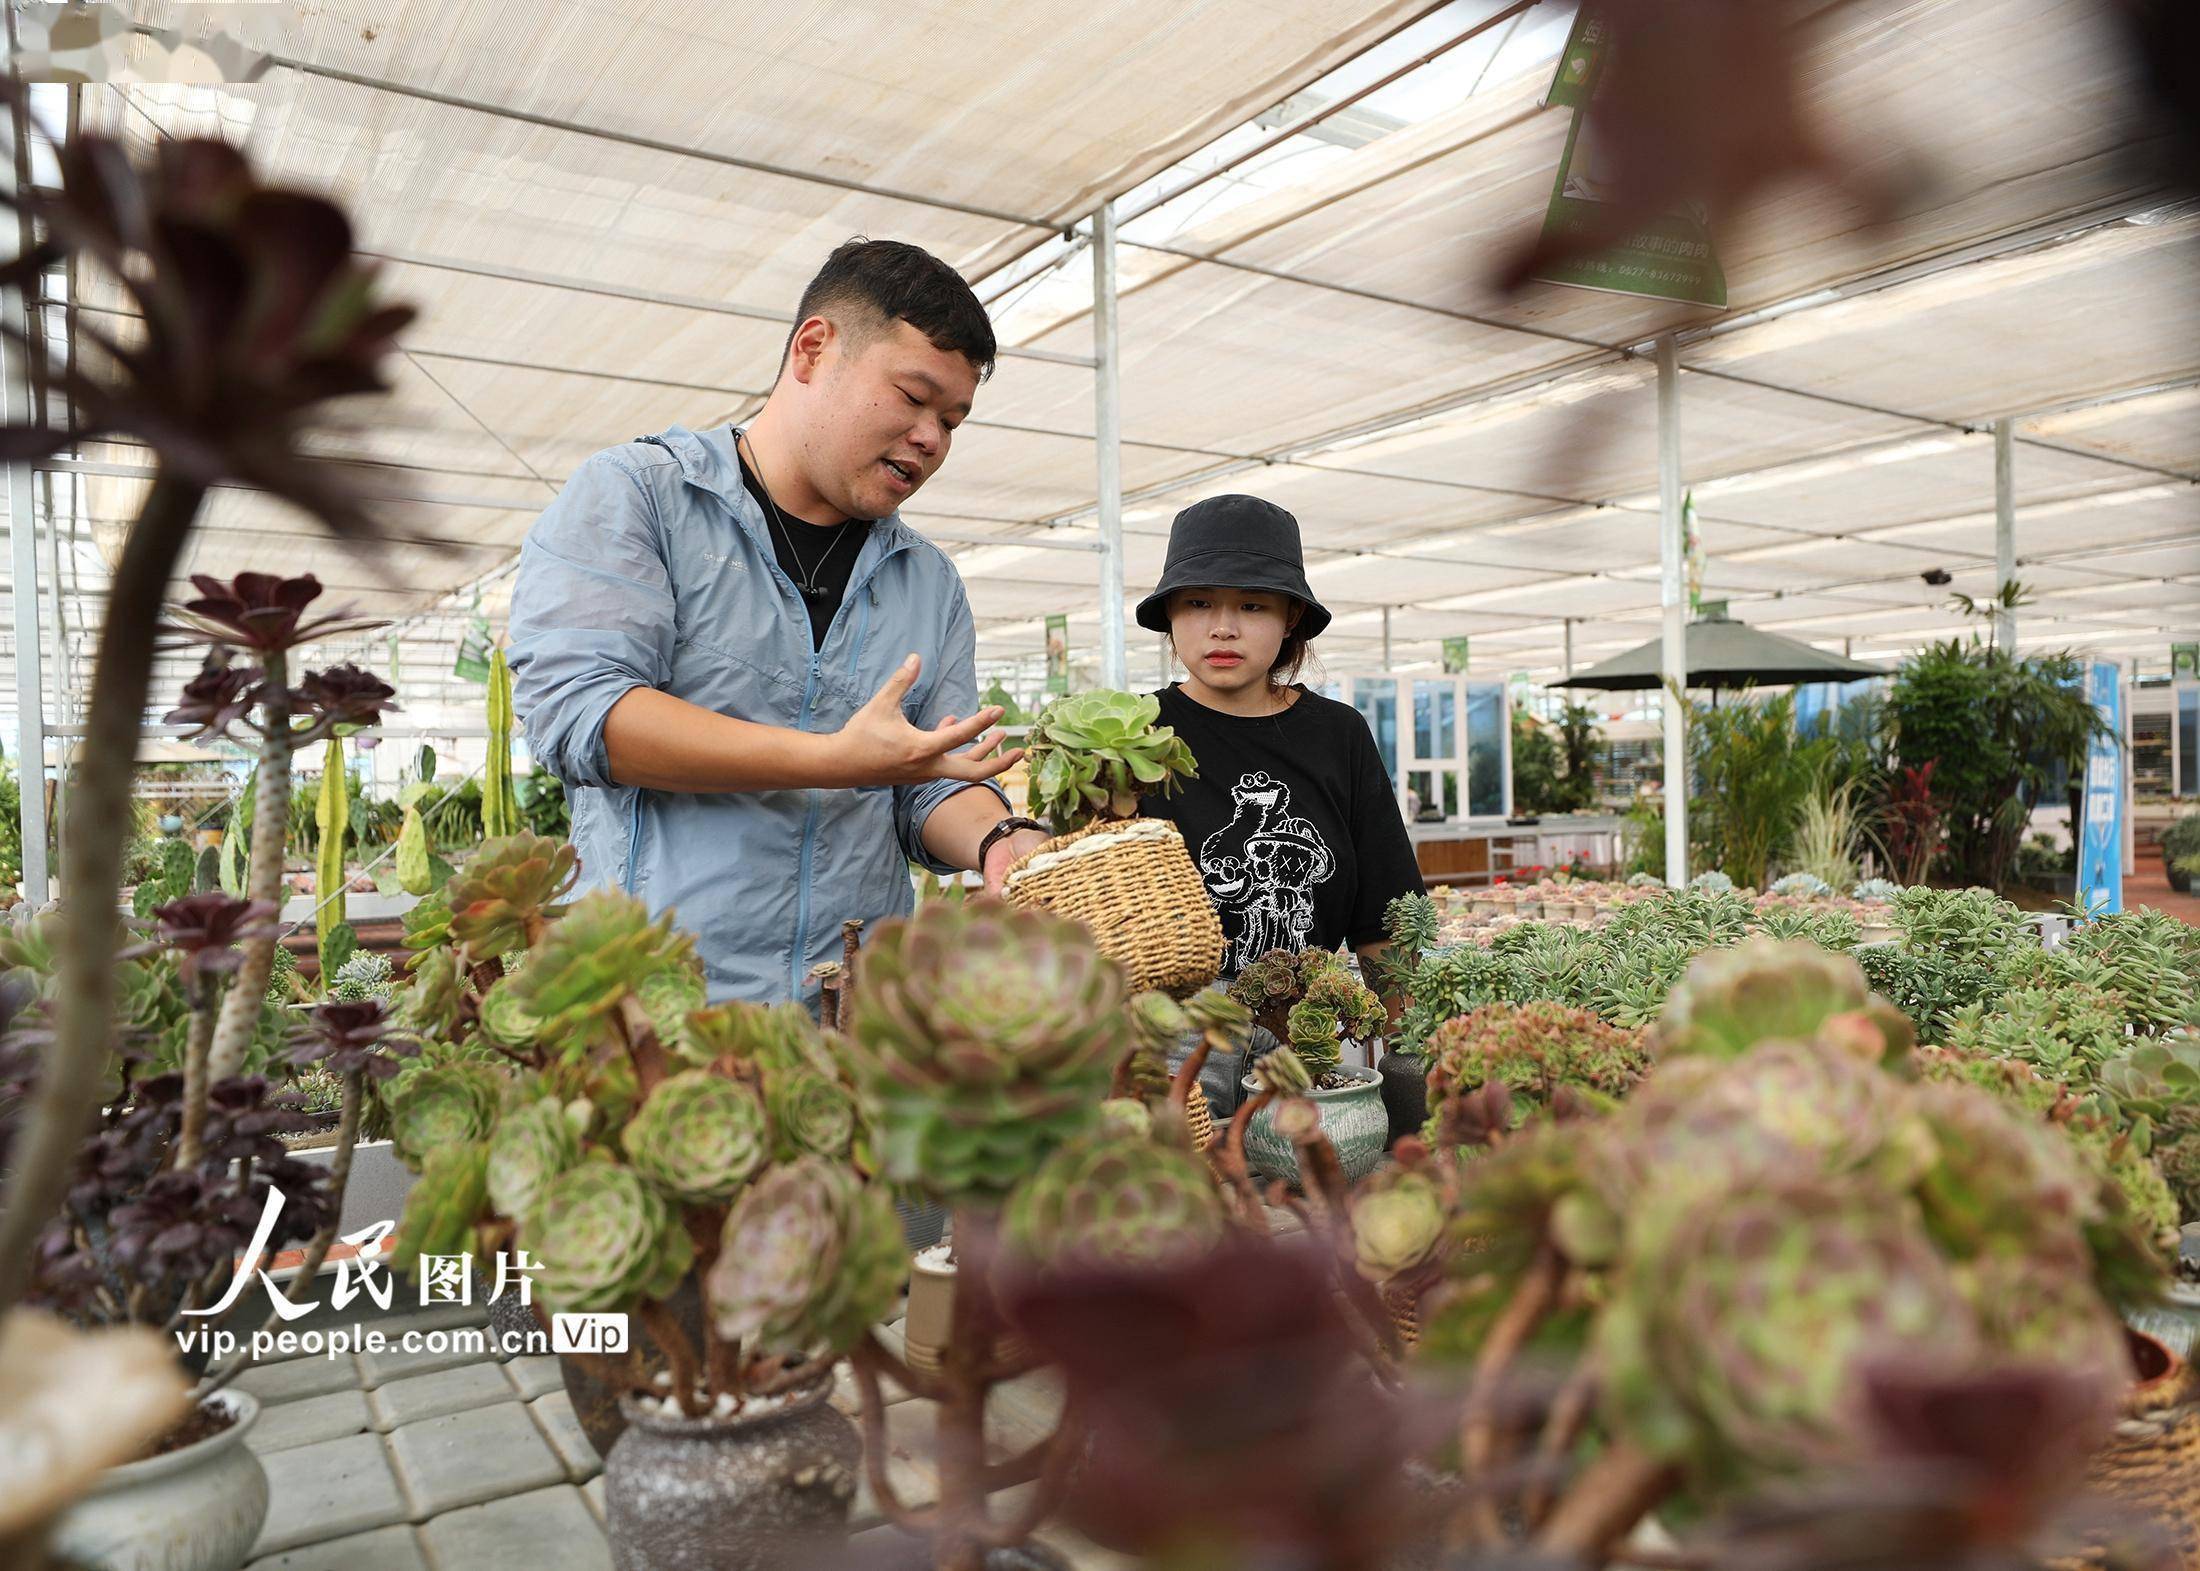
1114	1200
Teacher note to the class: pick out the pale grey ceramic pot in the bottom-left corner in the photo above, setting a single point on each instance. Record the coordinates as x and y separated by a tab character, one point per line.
188	1510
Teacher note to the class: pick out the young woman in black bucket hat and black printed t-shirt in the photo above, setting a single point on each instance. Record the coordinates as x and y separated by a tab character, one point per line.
1292	820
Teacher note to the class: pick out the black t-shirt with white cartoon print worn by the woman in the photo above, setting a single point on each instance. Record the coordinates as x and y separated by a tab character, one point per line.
1292	822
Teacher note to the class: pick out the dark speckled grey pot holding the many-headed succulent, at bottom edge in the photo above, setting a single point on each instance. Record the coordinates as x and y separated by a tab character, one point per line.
731	1495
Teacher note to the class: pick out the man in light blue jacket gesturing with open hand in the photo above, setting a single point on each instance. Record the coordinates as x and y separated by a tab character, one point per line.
753	679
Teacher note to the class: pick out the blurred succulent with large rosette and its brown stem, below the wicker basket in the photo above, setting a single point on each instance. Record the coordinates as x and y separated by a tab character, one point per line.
984	1046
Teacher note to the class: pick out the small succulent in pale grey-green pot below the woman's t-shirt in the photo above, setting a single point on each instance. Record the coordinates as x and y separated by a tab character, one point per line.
1328	1009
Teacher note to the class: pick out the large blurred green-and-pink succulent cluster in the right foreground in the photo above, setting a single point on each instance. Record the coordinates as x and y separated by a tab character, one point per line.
1774	1222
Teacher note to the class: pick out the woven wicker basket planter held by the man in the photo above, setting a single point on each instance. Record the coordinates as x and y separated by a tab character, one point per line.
1136	888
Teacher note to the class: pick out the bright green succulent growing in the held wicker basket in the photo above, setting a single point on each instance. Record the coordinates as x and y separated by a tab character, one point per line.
1092	756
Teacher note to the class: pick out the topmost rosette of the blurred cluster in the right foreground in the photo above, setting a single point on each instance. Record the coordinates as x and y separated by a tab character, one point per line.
1761	991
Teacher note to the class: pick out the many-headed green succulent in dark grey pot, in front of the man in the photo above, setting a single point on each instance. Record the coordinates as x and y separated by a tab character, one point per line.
690	1165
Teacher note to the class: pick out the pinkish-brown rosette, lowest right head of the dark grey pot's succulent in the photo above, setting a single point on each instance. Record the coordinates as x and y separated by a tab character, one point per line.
808	1262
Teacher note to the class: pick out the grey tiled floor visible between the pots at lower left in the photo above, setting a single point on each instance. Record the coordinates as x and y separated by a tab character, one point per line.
472	1462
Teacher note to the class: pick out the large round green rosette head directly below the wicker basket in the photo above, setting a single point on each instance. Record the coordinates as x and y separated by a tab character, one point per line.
984	1037
